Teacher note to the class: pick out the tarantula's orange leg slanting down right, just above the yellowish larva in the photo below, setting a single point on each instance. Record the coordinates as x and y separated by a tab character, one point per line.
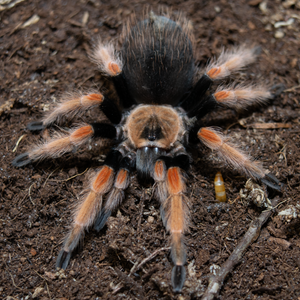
235	157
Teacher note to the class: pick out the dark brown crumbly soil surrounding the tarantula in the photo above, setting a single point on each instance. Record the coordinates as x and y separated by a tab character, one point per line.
46	57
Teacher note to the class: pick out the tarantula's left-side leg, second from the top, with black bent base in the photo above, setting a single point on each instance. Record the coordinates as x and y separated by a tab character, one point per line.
71	106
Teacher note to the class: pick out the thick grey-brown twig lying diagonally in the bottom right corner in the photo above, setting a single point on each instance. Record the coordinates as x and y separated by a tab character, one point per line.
216	281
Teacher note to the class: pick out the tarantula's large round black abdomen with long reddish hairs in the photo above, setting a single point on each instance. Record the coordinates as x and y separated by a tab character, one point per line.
158	61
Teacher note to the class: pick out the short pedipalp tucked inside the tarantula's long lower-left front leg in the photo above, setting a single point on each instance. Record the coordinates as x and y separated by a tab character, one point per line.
116	195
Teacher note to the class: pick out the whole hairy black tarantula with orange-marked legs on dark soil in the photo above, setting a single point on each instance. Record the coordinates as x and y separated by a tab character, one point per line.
154	79
